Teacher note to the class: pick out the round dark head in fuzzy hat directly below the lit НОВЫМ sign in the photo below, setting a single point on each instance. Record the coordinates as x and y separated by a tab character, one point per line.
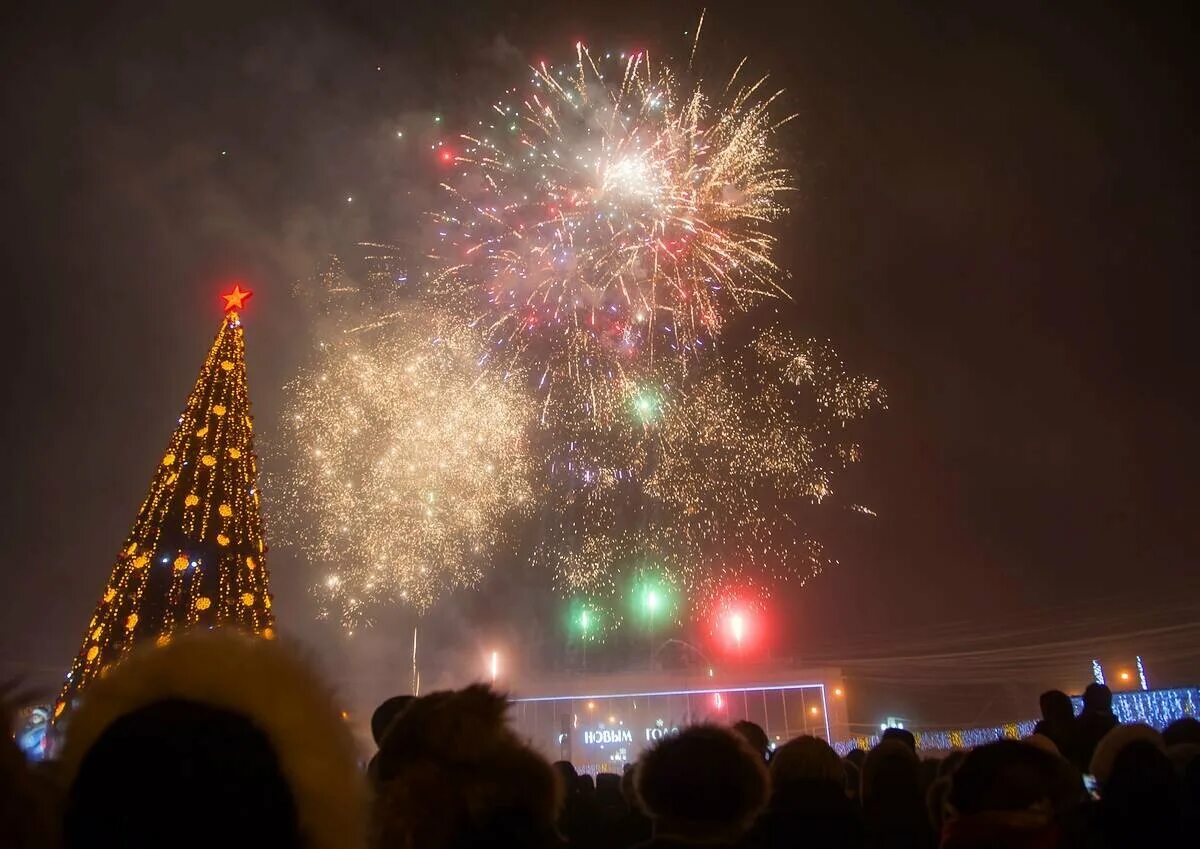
705	782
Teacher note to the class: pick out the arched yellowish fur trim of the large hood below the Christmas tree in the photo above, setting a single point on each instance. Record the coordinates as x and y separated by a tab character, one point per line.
268	685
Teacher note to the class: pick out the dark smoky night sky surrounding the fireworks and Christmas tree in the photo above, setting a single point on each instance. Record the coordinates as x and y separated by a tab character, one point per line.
997	218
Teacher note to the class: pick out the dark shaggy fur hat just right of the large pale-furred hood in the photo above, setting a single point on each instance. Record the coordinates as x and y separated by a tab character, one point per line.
453	774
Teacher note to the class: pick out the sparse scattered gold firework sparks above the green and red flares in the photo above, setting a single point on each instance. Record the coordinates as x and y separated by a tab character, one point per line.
706	490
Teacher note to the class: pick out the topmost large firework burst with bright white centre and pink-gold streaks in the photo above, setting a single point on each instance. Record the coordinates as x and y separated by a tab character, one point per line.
604	221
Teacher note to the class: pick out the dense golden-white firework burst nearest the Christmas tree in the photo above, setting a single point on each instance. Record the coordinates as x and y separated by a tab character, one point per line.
405	462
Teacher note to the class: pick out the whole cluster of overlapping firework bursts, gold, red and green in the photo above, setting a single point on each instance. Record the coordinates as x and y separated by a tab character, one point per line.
560	372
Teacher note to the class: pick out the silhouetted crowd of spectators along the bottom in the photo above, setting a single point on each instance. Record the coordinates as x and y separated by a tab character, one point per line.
218	740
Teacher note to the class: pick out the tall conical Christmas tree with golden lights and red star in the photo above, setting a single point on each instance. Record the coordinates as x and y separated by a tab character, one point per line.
195	557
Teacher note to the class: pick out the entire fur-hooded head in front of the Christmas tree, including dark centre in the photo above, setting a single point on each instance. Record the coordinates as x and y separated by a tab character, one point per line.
214	739
